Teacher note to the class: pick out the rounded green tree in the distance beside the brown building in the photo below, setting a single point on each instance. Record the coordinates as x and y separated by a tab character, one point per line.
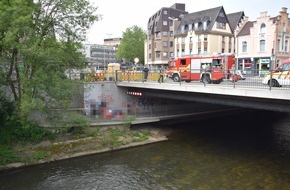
132	44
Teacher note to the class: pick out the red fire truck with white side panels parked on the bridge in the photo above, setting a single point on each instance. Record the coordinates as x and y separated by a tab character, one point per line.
210	68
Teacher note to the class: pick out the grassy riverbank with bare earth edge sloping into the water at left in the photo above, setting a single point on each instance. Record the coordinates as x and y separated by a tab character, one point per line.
94	140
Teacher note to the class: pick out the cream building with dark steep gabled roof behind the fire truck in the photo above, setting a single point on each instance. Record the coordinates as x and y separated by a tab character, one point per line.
207	31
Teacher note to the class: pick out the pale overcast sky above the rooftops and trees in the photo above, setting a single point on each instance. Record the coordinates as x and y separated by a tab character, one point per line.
118	15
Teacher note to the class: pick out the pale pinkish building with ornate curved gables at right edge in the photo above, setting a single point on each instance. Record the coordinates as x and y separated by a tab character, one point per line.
263	44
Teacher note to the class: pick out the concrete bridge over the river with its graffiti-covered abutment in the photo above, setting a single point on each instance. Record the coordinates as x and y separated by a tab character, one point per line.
151	101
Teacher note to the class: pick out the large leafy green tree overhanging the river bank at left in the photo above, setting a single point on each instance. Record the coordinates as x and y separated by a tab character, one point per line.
39	41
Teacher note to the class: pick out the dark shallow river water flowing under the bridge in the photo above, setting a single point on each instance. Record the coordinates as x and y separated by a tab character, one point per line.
247	151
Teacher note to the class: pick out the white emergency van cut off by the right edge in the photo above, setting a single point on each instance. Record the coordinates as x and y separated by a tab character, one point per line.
280	76
